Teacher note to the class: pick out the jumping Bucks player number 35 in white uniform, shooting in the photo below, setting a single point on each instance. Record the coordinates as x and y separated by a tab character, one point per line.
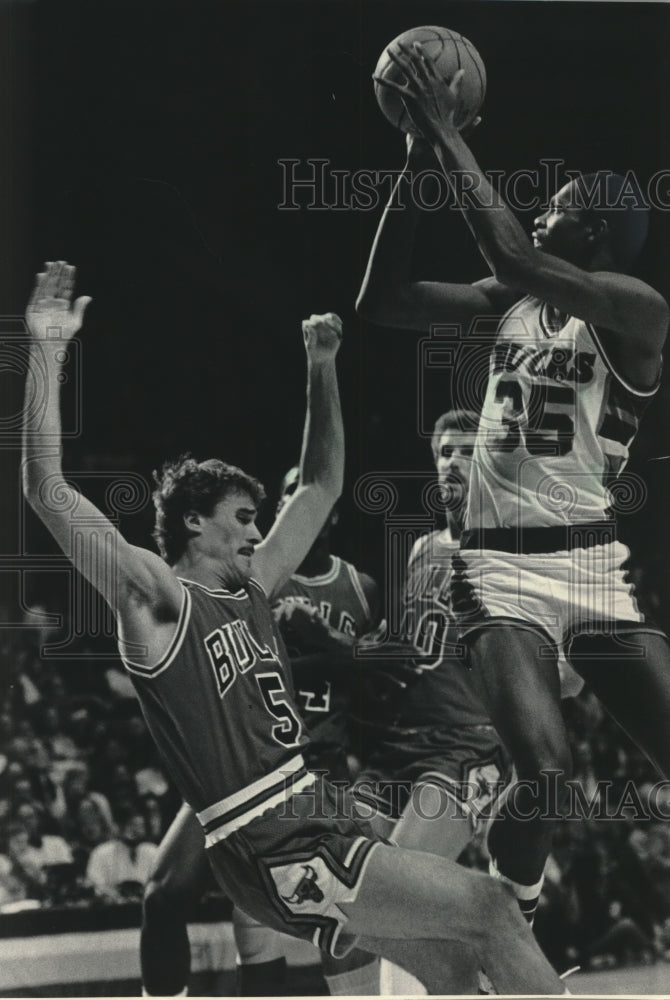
576	359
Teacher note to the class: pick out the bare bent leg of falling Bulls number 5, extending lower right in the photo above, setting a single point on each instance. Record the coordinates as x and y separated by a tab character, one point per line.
448	902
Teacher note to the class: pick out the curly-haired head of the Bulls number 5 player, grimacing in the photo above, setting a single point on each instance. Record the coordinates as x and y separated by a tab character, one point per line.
208	508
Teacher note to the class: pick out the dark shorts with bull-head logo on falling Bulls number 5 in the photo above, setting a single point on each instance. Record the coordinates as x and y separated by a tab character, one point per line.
293	866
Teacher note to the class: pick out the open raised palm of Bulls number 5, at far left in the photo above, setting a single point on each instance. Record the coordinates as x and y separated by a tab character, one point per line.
51	314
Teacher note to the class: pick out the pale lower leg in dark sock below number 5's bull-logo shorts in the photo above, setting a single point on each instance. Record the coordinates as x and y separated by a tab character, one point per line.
261	965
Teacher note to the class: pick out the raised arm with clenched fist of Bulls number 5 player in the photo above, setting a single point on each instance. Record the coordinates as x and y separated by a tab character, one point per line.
321	462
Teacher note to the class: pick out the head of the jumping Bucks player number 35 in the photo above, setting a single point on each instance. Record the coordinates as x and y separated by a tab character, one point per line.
595	218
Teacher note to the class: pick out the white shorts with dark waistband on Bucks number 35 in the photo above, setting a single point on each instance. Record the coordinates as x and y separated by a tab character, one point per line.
580	589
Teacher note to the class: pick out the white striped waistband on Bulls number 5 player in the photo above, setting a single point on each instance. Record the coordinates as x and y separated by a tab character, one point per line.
236	810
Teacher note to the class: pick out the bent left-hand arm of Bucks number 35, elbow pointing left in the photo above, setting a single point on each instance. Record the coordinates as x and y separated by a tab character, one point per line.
389	297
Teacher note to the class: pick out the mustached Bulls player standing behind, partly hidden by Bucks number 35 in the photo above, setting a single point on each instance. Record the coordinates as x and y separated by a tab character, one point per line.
438	766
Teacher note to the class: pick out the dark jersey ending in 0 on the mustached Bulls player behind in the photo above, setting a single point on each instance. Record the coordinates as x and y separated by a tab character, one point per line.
444	695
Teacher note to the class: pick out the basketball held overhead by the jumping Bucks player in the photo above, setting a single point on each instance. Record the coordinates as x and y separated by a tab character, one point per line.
449	52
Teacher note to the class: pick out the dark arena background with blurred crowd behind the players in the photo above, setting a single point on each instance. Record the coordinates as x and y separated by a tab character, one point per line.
155	146
